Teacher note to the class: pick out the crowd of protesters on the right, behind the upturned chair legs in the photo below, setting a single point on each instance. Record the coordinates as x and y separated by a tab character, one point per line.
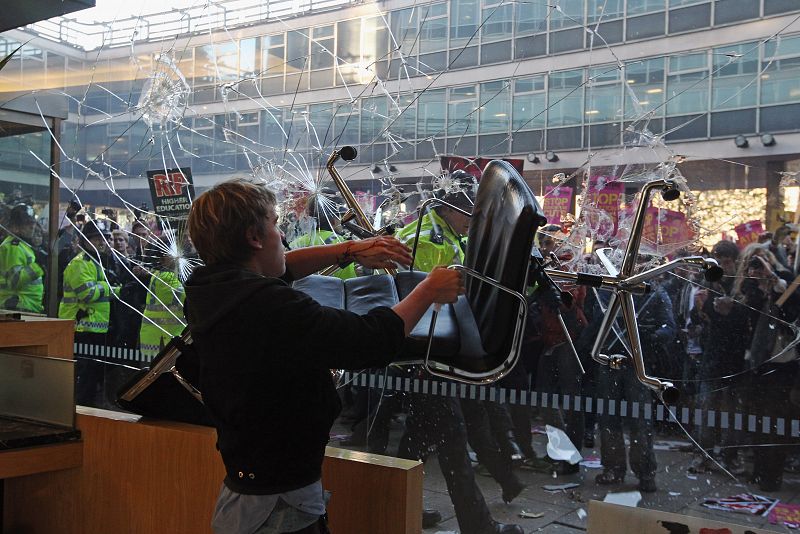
728	346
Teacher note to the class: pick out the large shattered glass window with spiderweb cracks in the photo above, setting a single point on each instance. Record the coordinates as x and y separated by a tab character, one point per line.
688	141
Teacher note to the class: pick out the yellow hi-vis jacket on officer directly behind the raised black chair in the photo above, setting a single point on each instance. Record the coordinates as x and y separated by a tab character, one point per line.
430	254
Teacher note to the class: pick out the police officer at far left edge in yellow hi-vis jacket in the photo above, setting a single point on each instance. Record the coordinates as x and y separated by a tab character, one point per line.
21	277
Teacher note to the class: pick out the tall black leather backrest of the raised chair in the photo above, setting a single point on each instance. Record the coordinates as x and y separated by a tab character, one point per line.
504	222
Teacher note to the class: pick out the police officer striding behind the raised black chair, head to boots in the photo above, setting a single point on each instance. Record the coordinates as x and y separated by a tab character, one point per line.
435	421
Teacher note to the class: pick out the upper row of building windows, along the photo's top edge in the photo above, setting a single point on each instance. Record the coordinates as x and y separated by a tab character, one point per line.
424	39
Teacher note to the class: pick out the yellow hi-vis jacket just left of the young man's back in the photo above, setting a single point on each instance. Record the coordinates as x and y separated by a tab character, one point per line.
164	307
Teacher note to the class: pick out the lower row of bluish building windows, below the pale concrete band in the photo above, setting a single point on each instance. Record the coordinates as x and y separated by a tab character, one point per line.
748	87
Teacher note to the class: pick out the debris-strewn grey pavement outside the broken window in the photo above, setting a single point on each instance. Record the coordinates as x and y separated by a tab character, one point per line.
565	511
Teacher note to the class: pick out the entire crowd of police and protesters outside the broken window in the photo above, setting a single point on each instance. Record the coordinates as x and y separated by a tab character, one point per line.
727	345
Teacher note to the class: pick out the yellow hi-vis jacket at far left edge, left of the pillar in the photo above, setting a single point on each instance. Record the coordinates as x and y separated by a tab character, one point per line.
21	278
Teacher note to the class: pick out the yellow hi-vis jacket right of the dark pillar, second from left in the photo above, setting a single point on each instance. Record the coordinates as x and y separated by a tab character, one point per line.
87	295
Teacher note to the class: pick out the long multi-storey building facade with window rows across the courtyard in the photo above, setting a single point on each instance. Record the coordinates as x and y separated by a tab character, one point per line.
407	82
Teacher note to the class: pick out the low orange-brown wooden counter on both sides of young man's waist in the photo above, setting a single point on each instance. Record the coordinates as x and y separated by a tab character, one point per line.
164	477
